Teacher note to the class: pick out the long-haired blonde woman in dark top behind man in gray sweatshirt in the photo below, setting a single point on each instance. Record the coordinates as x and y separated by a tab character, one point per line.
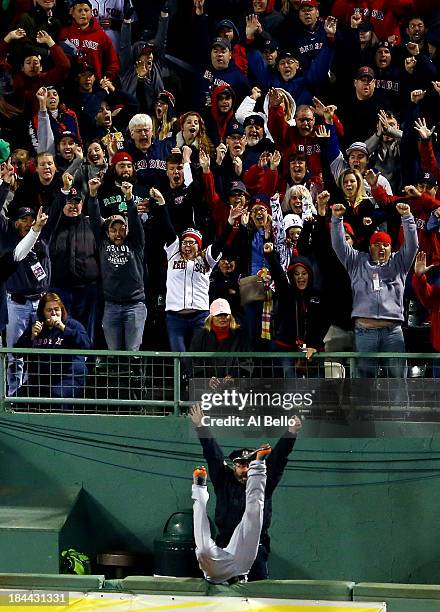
360	210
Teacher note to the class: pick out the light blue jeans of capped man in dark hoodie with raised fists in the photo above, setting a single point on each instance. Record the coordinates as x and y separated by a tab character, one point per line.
123	325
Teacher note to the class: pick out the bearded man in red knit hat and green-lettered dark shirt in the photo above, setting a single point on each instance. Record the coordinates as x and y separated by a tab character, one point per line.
110	194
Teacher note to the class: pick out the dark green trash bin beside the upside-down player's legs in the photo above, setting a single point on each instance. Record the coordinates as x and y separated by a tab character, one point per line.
174	552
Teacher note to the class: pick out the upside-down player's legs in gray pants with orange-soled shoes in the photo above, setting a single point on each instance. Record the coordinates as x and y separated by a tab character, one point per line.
230	564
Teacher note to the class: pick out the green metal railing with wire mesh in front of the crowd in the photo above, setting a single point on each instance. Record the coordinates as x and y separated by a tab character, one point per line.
162	383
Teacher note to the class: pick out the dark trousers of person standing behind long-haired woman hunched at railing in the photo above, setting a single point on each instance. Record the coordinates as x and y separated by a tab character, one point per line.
81	304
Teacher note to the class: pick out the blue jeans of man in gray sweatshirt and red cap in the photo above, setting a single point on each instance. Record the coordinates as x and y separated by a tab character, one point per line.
383	339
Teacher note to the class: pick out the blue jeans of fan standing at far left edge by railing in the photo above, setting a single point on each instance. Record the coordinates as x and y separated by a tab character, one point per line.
19	317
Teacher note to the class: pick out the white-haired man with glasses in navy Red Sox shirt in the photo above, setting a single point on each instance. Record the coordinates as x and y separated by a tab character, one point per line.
149	154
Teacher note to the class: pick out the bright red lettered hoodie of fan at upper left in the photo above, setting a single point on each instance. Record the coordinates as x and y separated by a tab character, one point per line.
94	47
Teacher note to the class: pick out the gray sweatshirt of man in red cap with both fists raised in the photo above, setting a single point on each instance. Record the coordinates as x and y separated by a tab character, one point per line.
377	288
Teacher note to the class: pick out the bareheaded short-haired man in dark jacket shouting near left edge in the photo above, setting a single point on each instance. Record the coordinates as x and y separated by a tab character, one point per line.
38	188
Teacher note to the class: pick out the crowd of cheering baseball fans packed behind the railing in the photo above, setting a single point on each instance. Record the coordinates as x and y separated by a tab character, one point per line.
264	171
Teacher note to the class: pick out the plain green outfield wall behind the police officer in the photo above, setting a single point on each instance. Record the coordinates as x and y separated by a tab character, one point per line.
363	509
